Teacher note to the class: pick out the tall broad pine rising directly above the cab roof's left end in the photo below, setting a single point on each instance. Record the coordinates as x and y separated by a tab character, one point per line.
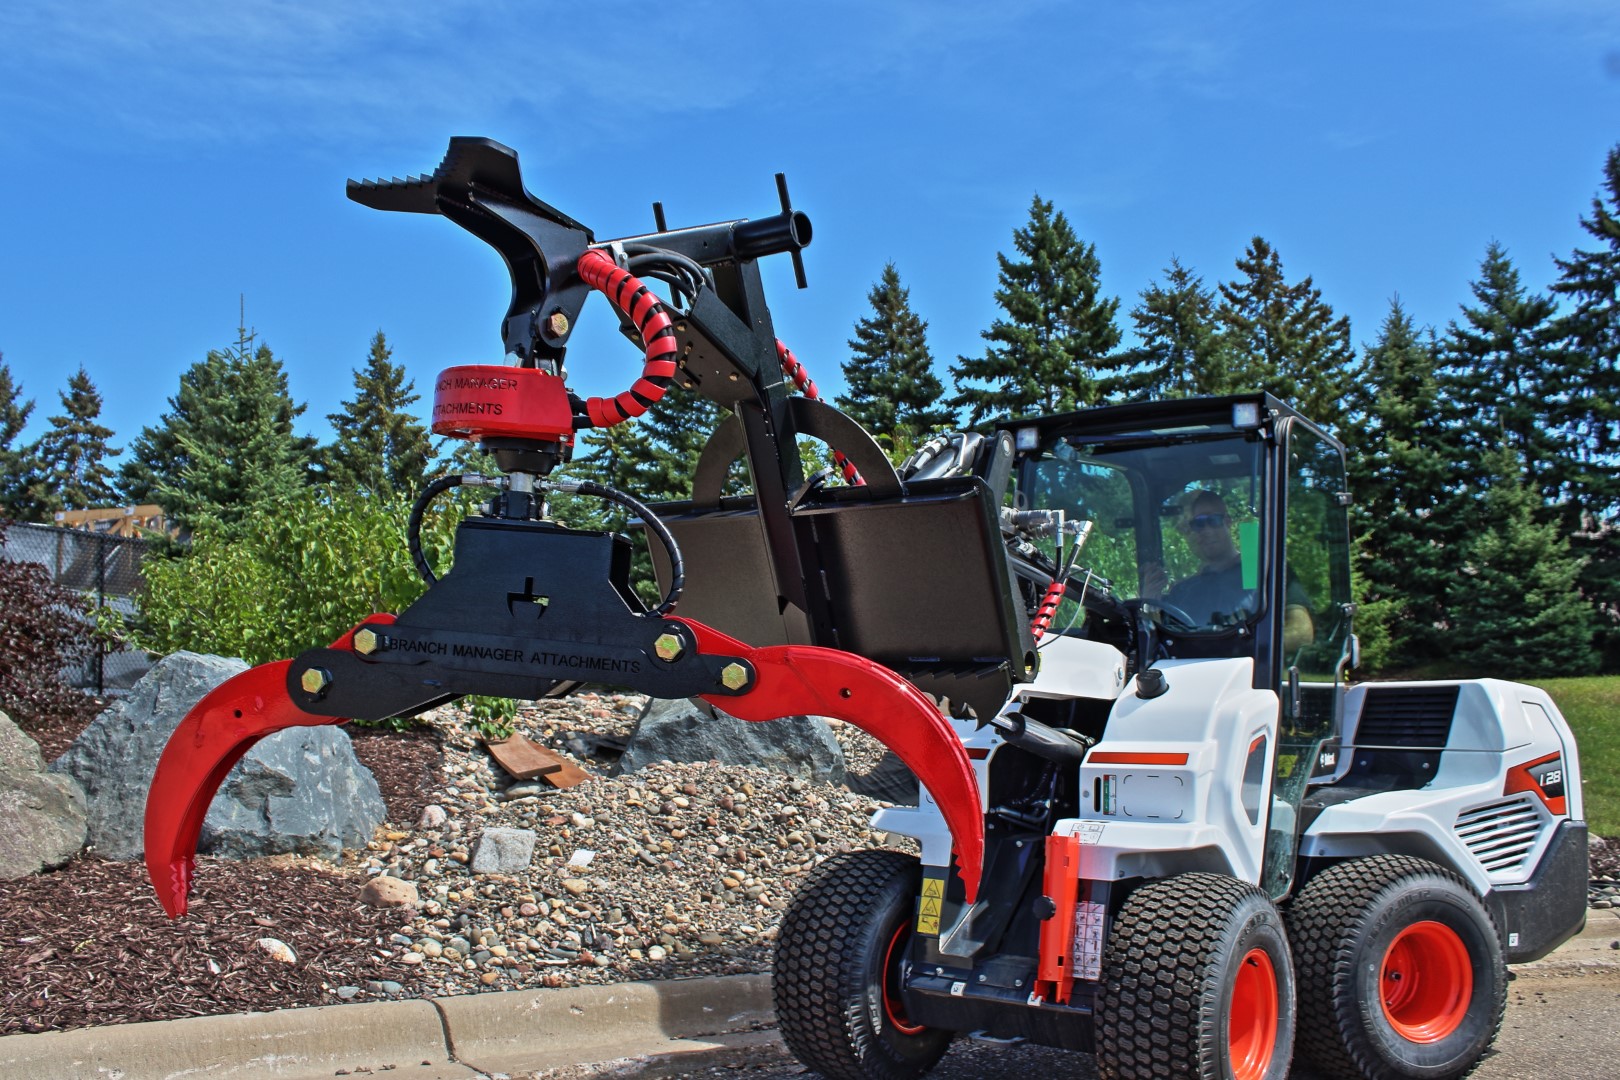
1055	351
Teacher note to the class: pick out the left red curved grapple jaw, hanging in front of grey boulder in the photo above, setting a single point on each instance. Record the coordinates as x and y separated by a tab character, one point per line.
203	750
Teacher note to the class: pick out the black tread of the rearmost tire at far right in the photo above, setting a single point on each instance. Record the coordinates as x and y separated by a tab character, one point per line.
1324	959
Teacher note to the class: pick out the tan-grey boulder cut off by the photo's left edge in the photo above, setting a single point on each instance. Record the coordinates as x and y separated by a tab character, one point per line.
41	815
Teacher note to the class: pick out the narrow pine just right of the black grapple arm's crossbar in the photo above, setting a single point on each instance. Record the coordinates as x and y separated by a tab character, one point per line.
890	375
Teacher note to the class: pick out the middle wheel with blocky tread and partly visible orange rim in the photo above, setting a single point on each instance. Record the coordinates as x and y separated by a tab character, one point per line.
1198	982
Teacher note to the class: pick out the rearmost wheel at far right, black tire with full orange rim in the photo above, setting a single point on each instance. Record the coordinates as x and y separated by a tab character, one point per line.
1400	971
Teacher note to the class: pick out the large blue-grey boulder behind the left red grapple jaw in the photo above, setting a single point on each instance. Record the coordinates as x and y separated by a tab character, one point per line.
301	791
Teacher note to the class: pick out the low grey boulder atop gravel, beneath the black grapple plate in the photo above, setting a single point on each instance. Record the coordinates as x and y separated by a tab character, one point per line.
696	731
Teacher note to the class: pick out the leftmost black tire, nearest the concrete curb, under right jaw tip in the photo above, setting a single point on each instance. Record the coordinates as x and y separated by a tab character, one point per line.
838	966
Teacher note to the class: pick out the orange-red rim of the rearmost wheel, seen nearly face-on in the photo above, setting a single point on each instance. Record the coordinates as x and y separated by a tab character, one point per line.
1426	982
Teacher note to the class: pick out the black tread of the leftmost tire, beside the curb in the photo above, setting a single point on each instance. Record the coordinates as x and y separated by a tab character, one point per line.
814	959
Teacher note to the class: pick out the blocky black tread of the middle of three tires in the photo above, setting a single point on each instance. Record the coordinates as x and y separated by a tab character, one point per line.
1154	967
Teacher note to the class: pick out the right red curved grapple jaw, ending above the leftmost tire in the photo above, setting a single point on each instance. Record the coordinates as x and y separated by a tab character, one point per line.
803	679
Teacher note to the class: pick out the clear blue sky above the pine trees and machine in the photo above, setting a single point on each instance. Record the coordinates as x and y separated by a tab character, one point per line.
166	158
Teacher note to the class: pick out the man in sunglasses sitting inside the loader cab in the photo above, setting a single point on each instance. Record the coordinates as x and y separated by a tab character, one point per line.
1216	593
